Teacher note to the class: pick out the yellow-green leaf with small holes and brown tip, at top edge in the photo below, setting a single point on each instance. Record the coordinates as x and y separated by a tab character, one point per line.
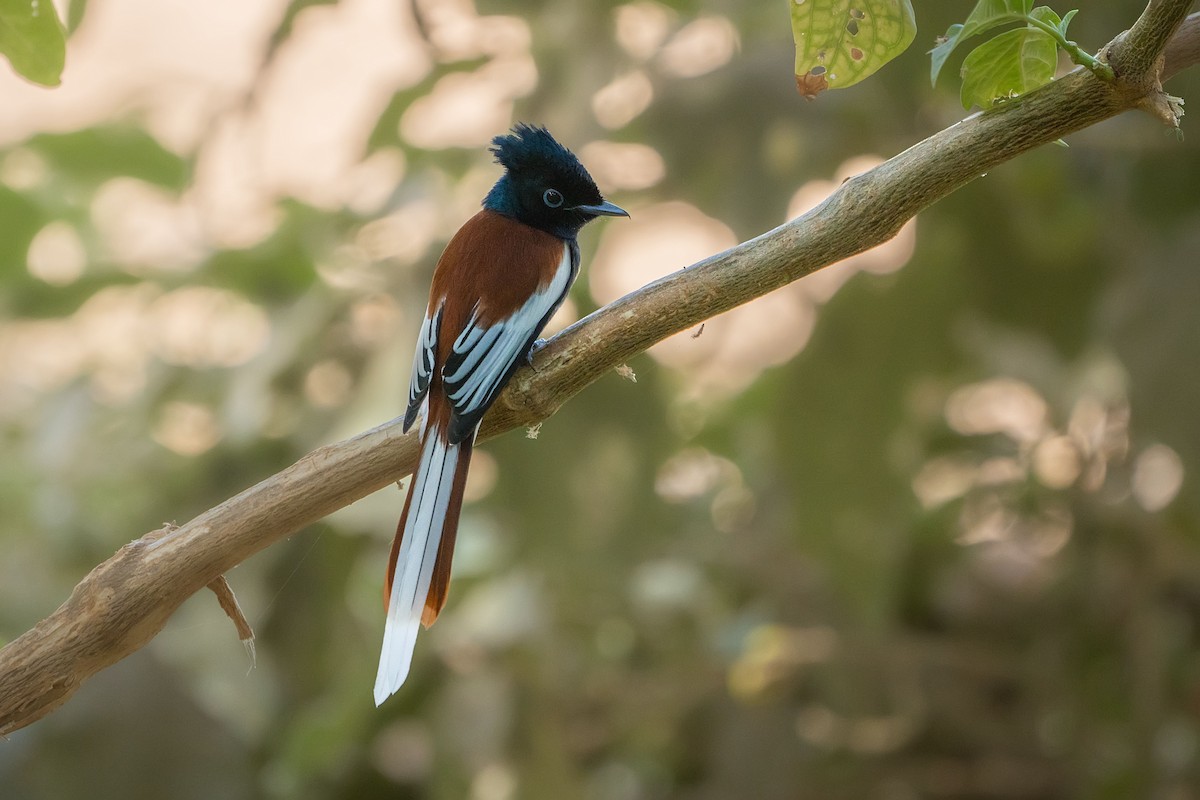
841	43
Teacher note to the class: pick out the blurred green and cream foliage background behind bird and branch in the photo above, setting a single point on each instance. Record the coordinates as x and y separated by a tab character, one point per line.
920	526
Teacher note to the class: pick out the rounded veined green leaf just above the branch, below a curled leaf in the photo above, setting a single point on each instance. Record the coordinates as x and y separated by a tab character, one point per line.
1010	65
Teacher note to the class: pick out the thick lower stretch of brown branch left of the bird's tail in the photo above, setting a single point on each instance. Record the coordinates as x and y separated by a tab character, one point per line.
125	601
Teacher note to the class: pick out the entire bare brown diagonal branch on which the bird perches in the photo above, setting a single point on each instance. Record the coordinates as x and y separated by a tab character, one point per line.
125	601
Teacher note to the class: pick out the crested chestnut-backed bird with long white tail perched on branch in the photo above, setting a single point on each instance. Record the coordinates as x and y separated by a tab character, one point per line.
501	279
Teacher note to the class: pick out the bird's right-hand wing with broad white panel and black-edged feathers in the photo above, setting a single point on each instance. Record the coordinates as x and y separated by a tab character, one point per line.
485	356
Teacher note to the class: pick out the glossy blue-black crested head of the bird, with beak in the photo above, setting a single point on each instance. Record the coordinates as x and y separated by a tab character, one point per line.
544	184
